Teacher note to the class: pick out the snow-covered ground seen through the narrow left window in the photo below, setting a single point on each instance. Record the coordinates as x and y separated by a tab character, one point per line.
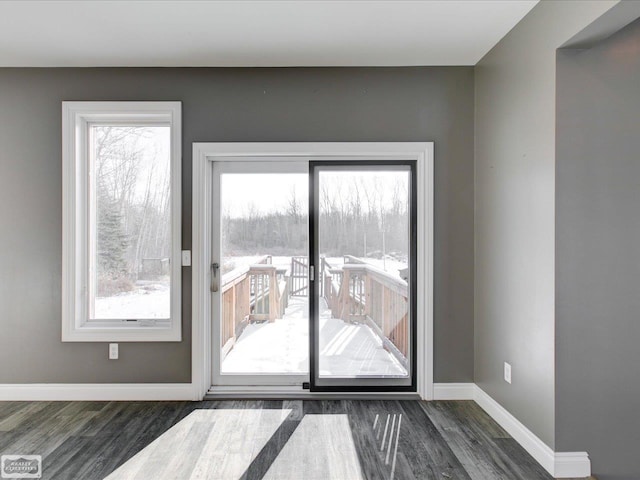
150	301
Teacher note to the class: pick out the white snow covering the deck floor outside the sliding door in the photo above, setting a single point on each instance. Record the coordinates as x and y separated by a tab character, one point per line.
346	350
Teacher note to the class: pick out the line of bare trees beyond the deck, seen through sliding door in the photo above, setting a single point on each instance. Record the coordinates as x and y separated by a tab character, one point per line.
353	221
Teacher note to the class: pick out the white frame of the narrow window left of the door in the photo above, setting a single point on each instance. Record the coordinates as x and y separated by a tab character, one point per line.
77	117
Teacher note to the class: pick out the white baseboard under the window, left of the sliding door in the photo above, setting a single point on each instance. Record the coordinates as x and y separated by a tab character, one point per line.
97	391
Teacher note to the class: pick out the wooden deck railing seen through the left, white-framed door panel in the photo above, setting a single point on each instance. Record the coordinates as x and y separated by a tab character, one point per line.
247	297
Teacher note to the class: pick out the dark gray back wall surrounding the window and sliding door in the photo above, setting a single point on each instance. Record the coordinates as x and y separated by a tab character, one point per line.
233	105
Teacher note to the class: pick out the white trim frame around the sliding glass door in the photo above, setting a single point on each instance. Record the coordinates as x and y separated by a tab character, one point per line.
205	153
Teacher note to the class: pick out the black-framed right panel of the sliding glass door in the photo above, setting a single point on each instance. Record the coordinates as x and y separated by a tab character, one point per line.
364	241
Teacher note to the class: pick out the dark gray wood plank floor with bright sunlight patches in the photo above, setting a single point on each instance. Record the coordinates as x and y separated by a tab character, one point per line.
245	440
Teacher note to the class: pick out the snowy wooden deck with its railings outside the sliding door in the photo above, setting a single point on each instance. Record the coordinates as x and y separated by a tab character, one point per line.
364	320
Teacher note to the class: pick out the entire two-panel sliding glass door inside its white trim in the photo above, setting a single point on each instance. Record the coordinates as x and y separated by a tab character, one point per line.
313	274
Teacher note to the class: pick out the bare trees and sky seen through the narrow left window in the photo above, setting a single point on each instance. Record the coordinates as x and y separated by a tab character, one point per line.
133	201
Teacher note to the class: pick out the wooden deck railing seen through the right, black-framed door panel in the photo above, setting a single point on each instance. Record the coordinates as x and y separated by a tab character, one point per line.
360	292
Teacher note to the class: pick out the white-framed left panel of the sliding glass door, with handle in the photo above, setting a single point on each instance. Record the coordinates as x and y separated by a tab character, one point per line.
261	306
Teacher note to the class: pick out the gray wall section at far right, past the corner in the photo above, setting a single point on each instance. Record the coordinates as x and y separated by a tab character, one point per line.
598	254
